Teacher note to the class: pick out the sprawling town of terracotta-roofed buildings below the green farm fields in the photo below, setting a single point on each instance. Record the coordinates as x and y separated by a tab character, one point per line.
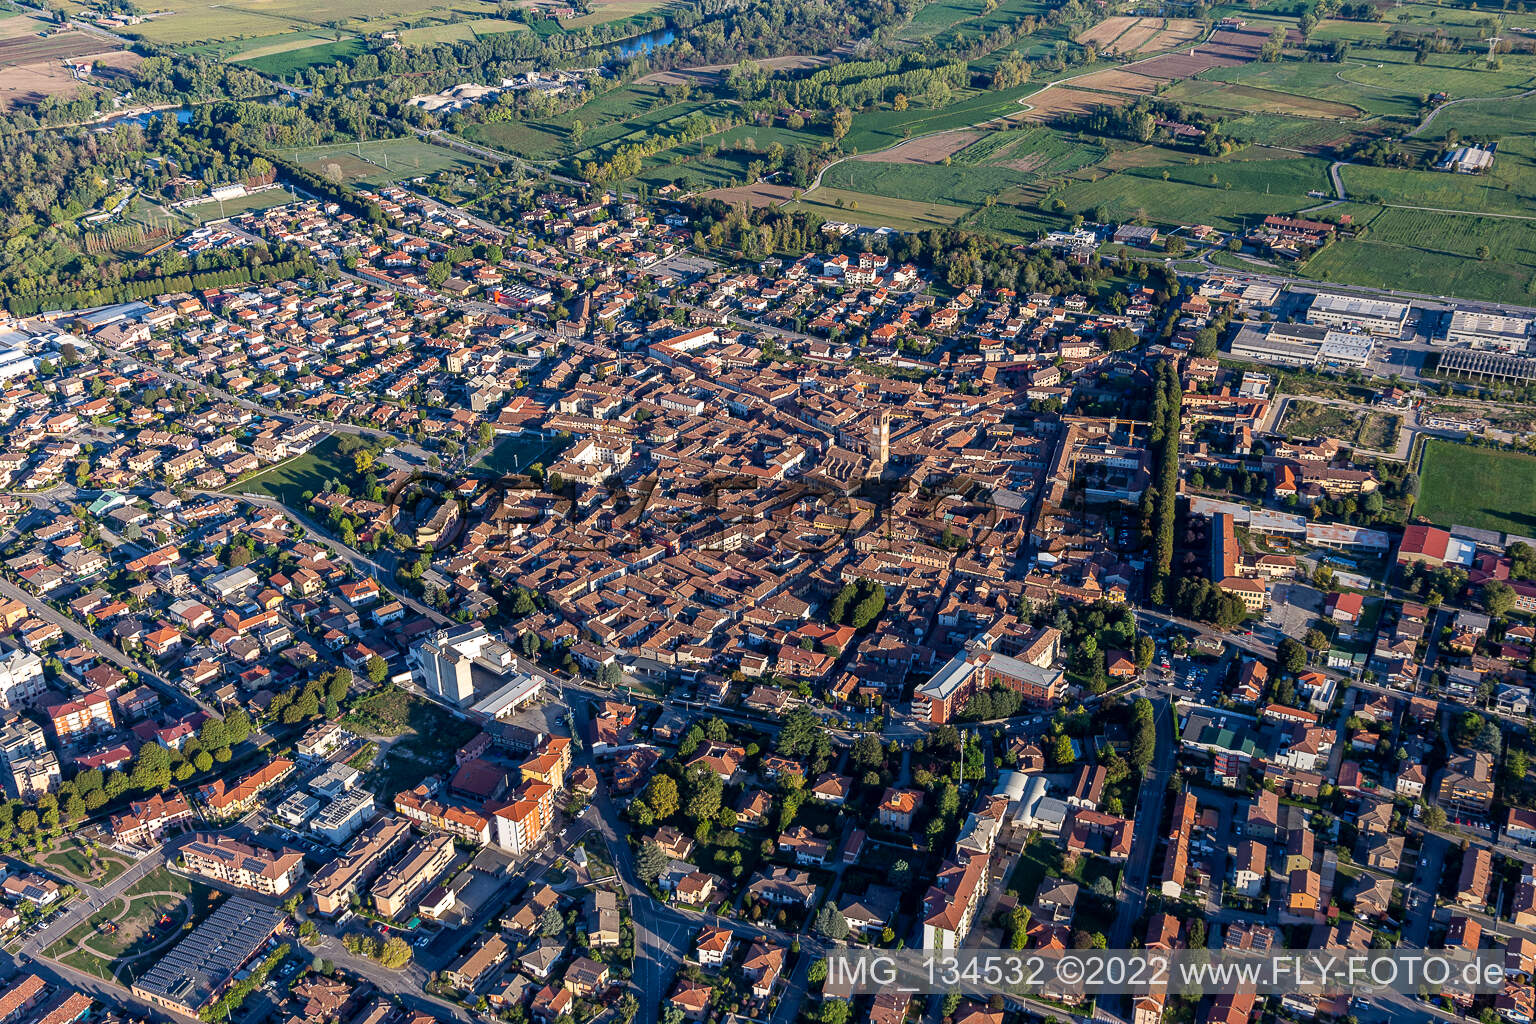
586	621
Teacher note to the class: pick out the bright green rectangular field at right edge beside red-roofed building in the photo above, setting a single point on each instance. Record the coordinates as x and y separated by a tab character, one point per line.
1477	487
